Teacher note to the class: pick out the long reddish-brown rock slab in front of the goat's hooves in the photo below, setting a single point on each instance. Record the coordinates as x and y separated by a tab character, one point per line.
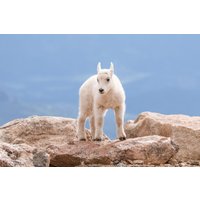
148	150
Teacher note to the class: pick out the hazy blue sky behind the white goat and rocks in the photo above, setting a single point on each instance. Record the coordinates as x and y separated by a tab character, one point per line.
41	74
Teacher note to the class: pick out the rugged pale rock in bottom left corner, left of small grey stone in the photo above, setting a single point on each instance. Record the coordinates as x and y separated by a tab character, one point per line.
15	155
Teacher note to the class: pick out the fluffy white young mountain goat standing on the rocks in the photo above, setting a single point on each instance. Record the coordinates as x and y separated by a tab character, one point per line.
94	105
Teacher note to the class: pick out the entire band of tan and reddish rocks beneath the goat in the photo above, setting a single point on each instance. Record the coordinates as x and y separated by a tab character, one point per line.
43	141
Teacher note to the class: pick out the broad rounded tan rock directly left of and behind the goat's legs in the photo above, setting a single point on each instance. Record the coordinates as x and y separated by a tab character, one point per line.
40	131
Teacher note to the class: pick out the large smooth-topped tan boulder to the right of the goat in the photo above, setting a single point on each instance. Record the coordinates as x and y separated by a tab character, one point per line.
184	131
